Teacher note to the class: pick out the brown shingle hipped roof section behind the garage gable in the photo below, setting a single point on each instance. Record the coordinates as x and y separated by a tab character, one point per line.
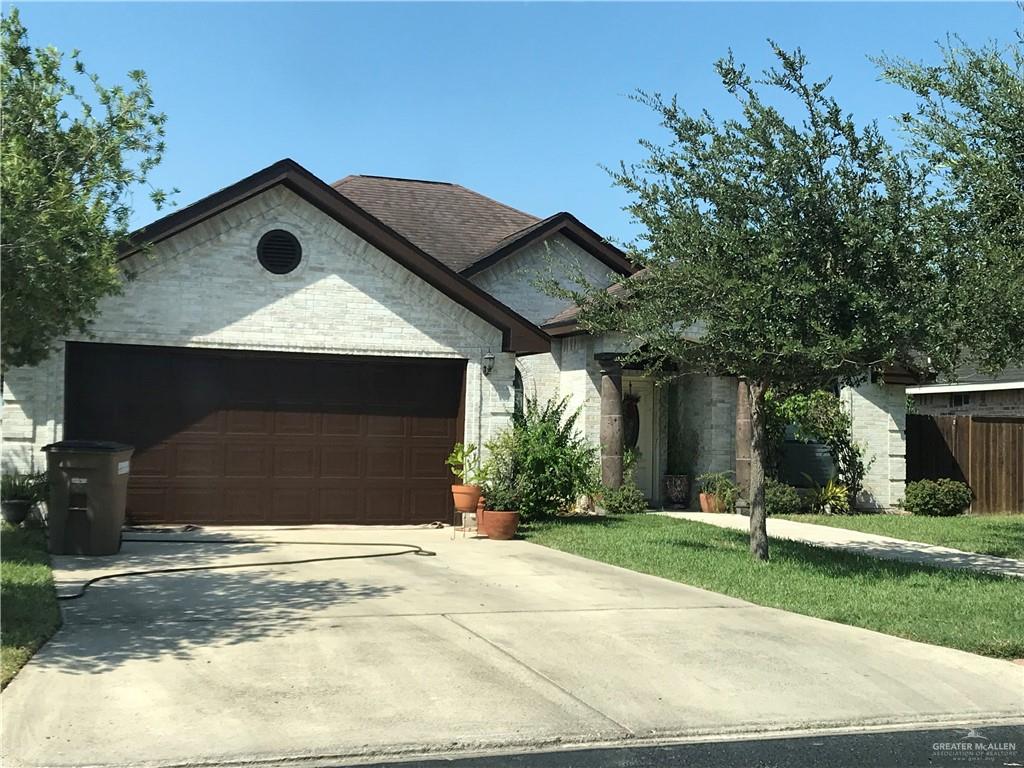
454	225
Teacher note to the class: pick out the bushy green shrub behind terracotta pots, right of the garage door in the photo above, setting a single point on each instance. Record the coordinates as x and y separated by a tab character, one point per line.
540	466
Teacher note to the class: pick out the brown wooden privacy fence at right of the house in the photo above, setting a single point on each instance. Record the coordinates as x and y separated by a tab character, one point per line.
987	453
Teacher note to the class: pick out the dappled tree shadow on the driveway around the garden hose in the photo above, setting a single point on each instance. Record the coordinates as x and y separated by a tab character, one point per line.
161	616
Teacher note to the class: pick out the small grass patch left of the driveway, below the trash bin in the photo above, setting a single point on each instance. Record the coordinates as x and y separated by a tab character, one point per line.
29	612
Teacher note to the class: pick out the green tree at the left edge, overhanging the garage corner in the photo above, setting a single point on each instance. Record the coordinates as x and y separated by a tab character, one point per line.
72	151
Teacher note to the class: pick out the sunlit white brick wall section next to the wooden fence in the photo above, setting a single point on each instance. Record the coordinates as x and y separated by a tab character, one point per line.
879	416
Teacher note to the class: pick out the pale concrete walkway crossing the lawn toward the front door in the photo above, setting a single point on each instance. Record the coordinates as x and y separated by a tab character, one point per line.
866	544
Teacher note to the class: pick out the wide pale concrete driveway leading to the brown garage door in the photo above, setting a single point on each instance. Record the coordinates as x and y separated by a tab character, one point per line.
488	646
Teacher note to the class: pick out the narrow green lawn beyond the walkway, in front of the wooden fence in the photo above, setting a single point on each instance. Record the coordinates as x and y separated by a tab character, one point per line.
989	535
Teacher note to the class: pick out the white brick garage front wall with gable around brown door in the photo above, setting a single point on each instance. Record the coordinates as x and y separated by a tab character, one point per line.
204	288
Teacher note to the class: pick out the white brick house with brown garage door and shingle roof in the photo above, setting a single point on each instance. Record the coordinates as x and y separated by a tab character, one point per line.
293	352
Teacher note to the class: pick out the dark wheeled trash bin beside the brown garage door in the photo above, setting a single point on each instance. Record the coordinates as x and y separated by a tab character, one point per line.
89	483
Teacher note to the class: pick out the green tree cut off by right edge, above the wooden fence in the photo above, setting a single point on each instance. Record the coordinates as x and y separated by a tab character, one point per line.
968	134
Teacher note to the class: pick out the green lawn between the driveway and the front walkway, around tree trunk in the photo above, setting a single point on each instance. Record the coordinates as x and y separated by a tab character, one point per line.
960	610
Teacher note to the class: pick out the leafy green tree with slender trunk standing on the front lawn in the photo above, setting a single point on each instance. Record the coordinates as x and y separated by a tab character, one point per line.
782	245
